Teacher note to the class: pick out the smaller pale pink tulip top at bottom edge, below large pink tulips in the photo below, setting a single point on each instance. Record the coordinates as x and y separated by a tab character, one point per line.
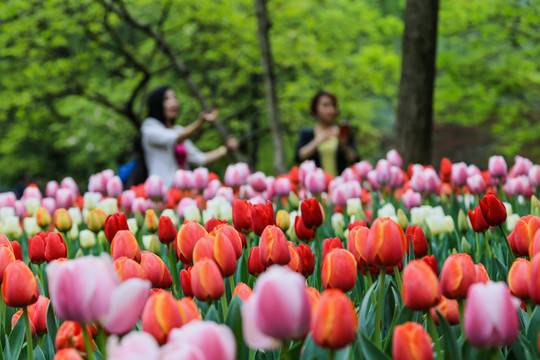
137	345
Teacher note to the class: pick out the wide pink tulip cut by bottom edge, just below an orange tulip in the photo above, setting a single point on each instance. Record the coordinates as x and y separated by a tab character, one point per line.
215	341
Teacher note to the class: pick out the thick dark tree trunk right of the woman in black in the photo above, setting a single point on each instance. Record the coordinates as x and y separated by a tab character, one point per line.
415	104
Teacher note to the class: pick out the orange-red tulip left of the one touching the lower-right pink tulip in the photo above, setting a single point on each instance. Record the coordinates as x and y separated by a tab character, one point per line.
421	289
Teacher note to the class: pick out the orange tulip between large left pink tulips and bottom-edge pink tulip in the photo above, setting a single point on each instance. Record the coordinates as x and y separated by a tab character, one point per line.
160	316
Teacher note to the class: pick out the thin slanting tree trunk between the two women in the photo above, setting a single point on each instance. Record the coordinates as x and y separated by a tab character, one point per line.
271	98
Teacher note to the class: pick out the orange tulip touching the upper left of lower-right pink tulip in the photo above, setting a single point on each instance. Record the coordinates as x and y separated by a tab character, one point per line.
457	275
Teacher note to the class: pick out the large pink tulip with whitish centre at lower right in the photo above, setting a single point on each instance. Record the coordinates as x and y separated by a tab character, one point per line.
491	315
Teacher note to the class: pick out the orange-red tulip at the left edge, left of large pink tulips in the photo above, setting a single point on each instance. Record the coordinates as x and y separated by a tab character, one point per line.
19	286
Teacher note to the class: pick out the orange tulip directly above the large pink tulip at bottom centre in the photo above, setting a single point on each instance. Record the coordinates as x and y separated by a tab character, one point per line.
273	247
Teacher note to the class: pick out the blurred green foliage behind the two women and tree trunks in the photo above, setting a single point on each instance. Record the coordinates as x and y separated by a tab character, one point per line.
75	75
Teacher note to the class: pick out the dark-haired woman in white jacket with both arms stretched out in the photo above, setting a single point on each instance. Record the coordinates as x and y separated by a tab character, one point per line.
166	146
